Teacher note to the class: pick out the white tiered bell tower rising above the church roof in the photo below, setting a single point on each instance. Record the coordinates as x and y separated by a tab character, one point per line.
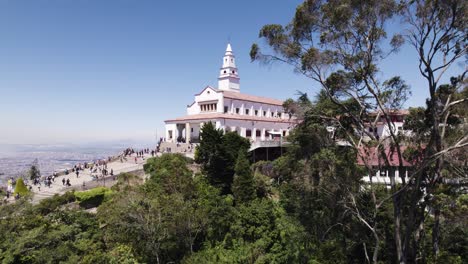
228	79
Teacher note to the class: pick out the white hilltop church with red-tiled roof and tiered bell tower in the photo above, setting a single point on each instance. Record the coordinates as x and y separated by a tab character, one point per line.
262	120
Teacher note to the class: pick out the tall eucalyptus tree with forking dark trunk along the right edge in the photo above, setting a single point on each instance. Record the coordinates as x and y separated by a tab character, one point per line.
438	33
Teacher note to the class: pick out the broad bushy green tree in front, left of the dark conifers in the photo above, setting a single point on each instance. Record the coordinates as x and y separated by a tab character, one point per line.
168	216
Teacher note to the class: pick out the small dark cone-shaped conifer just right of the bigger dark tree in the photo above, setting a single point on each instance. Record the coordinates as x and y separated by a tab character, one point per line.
243	187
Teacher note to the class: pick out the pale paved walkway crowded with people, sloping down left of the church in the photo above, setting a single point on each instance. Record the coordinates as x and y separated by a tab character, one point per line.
57	187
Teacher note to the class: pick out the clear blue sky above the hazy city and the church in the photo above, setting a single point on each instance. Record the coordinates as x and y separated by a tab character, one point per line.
94	70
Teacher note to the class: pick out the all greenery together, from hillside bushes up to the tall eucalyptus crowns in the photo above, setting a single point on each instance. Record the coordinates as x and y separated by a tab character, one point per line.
310	205
